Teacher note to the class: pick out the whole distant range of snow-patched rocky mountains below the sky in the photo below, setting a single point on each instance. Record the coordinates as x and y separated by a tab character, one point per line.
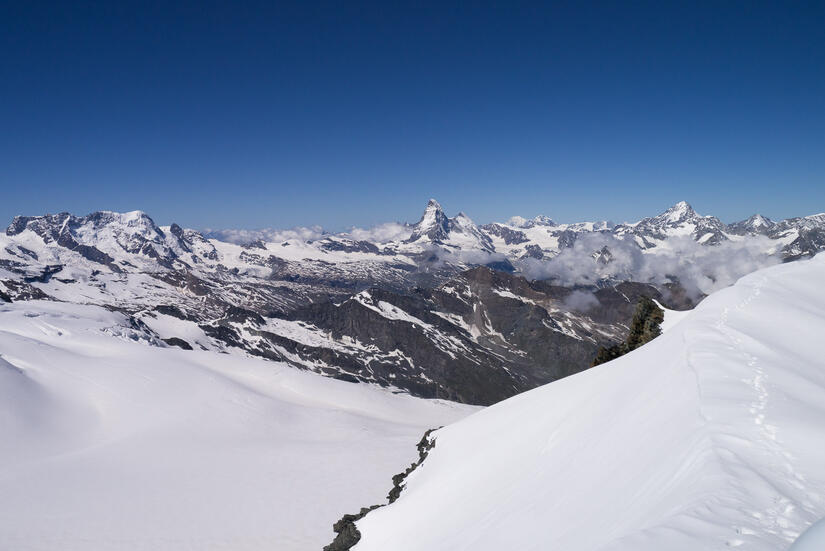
441	308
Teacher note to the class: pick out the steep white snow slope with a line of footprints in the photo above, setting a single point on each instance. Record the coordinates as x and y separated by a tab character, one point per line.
712	436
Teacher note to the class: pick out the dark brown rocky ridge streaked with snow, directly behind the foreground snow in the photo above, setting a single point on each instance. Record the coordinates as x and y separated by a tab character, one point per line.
479	338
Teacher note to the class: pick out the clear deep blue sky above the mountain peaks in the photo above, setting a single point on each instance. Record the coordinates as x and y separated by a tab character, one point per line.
273	115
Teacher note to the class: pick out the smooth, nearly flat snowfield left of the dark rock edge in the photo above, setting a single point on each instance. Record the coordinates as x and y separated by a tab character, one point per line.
109	443
